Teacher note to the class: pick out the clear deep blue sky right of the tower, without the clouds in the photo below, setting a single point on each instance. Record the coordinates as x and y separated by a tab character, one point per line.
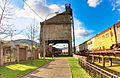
96	18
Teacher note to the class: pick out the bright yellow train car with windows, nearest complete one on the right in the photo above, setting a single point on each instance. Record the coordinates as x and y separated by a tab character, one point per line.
106	39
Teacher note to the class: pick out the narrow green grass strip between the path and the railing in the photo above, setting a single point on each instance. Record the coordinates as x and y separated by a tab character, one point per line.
77	71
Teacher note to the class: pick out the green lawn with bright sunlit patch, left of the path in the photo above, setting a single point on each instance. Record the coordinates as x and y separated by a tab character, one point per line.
17	70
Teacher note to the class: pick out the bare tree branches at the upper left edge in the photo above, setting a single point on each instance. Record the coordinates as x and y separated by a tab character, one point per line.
5	15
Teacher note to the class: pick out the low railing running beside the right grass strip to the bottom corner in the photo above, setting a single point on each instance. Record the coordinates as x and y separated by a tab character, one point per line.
95	71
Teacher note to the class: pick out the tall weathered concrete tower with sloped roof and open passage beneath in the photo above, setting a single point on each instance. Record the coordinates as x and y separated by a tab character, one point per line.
57	29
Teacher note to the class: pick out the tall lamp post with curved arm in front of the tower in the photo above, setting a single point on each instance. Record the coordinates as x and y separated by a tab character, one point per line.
44	47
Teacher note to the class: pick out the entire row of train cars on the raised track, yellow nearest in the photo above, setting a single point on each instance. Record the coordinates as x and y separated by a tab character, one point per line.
108	39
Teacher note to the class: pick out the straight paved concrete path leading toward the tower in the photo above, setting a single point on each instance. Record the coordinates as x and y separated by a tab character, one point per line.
59	68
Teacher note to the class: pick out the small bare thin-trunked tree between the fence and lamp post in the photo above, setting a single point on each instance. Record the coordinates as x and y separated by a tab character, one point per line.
32	34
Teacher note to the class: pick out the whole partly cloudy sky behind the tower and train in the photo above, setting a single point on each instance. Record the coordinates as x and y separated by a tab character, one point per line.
90	16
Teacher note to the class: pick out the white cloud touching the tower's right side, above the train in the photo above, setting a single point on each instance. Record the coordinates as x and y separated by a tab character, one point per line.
80	30
